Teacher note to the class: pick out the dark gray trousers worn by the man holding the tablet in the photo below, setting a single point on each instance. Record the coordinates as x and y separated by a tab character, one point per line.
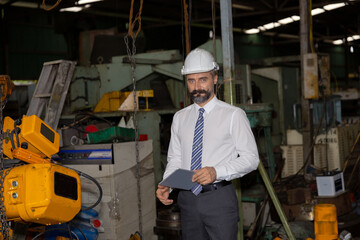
212	215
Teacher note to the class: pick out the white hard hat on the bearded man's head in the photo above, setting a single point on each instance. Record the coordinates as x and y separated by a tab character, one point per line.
198	61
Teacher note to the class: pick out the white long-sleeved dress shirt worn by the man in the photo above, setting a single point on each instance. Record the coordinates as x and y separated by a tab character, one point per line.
228	142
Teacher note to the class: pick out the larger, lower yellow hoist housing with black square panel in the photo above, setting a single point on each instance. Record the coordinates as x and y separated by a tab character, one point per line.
42	193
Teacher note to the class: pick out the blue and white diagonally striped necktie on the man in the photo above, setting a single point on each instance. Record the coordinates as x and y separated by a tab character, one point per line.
196	156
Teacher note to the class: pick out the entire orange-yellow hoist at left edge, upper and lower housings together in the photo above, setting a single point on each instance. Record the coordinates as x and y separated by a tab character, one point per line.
34	190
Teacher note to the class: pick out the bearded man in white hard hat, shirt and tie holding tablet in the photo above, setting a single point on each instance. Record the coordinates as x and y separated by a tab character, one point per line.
215	140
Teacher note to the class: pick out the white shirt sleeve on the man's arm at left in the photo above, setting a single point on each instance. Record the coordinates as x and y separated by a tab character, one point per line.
174	151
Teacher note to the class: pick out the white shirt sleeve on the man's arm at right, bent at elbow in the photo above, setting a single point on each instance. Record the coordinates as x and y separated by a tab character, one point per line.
247	159
